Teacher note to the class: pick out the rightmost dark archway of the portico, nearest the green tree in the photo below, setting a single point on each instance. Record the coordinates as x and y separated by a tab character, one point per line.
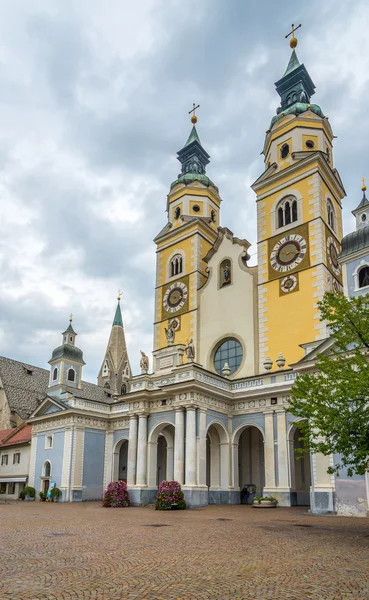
300	469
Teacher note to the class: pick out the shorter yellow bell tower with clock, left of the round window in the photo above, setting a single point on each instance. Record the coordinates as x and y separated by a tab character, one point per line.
193	206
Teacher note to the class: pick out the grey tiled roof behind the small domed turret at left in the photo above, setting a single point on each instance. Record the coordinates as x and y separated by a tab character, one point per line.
26	386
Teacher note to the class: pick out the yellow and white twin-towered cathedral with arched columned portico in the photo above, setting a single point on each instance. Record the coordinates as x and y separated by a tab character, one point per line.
213	413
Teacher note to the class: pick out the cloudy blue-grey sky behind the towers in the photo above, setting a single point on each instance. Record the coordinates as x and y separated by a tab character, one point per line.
94	101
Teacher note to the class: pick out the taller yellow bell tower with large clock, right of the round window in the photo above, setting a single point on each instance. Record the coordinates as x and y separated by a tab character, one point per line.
299	219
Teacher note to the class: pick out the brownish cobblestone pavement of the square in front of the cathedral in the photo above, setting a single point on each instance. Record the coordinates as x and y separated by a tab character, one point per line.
64	551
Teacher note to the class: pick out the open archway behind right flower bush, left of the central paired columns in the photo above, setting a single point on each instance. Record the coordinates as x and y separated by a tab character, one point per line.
160	454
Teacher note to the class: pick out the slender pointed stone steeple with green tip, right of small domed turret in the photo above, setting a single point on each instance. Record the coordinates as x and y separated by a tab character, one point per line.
115	371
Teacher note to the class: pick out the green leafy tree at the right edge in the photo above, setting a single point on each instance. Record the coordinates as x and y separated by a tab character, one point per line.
334	399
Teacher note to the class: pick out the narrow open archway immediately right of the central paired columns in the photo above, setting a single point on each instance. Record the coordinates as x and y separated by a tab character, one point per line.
217	461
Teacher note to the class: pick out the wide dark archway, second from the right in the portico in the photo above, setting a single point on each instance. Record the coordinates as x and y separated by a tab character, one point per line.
249	458
